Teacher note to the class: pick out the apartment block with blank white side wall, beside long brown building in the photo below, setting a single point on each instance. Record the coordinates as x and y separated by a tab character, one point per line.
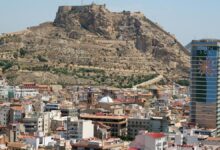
79	129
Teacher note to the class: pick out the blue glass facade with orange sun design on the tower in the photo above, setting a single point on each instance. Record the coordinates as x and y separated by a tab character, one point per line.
204	73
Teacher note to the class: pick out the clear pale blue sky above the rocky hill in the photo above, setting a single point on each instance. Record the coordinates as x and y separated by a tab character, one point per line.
187	19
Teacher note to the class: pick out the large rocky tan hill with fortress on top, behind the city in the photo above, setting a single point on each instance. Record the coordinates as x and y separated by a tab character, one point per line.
91	45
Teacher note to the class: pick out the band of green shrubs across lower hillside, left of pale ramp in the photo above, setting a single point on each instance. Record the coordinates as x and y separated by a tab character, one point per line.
100	77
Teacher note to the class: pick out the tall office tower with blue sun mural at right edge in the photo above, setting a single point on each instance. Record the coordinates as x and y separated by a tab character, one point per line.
205	83
